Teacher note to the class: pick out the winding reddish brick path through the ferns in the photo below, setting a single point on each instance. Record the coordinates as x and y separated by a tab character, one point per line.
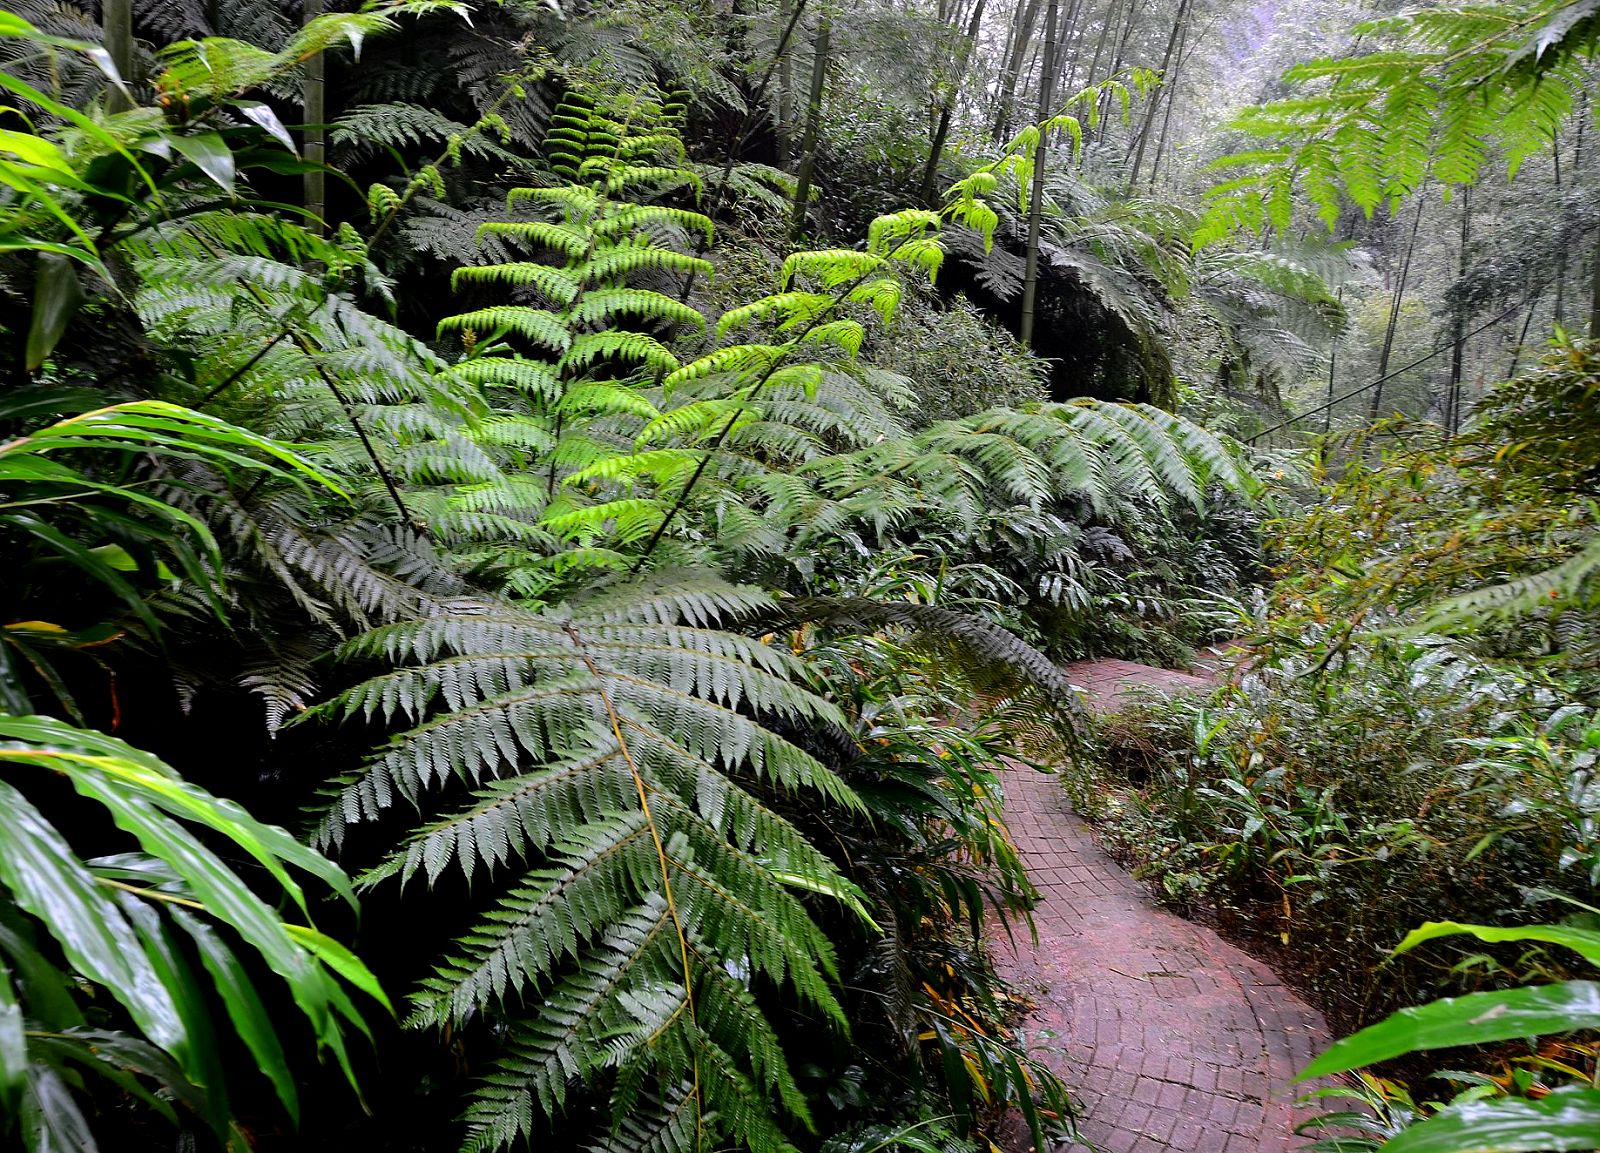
1170	1037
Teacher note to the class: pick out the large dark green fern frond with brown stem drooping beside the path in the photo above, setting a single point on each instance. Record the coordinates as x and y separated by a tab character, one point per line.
626	784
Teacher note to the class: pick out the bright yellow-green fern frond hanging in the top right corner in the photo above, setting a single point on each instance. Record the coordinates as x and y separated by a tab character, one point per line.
1446	90
